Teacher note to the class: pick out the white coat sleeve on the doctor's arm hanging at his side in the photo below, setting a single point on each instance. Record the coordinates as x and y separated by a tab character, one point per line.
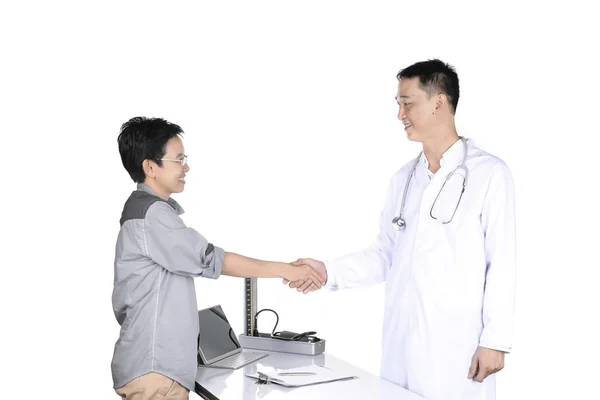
498	220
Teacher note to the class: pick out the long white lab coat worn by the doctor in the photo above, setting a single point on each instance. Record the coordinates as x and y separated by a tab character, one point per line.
448	288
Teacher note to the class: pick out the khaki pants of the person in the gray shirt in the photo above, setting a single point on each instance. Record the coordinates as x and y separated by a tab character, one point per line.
153	386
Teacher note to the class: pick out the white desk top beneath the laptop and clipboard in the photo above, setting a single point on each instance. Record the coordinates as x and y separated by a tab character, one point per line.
222	384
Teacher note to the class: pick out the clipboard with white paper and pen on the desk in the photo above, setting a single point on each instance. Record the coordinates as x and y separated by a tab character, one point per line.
298	377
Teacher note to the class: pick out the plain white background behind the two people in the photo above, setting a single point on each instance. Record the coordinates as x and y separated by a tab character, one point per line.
292	136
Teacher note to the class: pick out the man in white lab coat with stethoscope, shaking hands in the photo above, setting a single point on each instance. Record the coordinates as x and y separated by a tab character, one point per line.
445	249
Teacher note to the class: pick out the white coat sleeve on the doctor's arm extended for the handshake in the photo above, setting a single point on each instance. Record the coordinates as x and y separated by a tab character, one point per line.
370	265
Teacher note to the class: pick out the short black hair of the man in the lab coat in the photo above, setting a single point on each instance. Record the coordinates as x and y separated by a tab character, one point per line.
435	77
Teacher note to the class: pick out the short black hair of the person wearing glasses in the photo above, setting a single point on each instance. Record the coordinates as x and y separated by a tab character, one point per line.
142	139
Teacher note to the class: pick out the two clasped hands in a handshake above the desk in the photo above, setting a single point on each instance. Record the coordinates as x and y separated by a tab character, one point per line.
305	274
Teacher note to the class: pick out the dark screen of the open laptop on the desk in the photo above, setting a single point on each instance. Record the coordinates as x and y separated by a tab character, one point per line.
216	337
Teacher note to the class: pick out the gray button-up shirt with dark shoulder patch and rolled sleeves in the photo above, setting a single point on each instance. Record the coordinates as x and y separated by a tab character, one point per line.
157	258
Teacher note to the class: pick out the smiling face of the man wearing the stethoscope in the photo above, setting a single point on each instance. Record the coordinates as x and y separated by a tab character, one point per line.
415	110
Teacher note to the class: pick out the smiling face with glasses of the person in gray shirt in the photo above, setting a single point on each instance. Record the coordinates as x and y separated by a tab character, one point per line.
170	177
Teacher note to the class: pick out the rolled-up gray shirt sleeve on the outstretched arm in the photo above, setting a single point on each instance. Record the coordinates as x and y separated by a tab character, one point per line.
177	248
